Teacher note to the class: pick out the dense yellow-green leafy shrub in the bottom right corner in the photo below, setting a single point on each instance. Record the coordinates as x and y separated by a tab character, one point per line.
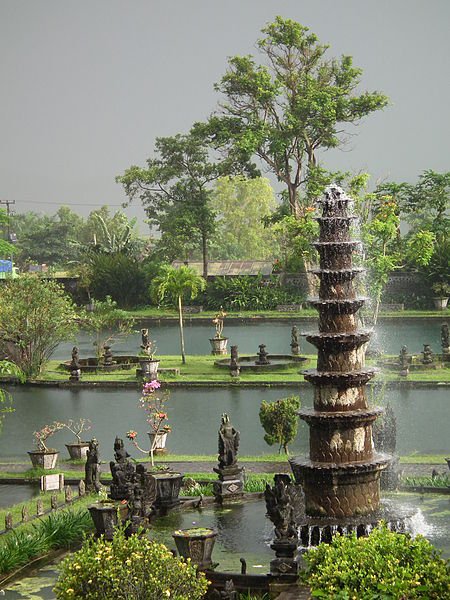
384	565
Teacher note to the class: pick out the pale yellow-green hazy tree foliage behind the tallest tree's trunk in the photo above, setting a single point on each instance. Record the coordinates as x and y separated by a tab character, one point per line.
242	206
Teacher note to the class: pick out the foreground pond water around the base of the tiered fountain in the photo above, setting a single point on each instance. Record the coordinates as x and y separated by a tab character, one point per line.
244	531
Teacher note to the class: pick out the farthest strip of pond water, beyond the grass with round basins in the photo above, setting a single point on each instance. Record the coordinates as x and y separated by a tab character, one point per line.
389	337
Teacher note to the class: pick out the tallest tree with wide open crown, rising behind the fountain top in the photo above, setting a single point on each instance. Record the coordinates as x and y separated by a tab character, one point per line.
285	111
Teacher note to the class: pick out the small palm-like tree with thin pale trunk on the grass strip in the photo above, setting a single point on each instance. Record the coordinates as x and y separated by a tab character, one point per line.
175	285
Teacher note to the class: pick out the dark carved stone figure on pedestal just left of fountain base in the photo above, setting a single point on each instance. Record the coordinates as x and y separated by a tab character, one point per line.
281	505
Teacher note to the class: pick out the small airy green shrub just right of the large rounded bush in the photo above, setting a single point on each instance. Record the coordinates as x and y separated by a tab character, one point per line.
102	320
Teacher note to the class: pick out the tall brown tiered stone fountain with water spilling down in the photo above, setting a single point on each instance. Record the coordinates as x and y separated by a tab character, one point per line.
341	477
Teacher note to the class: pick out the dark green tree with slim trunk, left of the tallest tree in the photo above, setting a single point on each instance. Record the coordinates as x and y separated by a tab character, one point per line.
175	189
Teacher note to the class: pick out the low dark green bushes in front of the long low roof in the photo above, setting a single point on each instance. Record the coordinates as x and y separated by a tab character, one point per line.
247	293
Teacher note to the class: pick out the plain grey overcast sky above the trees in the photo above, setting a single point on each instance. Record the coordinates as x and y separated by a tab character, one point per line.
88	85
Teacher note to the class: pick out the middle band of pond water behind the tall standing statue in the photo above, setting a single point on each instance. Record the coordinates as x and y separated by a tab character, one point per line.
422	418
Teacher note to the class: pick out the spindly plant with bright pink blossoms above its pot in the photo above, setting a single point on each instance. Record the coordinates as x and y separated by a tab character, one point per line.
154	405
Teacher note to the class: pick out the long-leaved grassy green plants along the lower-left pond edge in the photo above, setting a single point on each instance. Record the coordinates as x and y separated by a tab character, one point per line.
60	529
